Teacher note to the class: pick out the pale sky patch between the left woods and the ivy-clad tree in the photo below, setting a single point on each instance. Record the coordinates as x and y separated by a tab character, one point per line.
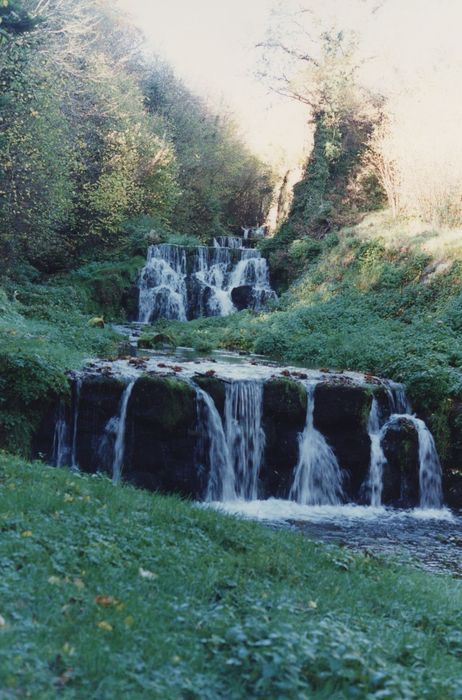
212	46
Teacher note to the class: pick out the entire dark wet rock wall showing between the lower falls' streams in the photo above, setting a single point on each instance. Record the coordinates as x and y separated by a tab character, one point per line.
163	440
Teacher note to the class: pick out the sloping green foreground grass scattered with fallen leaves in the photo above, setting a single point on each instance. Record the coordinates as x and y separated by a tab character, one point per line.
109	592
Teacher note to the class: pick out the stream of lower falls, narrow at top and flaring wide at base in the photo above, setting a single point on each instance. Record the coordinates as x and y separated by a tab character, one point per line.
318	477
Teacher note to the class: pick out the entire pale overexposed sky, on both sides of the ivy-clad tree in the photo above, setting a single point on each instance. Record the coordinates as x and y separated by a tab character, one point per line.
413	49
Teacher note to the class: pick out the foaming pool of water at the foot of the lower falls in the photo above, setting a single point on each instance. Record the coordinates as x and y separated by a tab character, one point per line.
430	539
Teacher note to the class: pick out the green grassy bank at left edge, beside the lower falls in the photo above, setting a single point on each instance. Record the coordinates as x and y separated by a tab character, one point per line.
44	331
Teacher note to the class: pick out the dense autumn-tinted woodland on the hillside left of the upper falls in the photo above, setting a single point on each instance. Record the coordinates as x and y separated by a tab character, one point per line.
93	134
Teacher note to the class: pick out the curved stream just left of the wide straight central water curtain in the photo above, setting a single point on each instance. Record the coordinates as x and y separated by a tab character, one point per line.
221	480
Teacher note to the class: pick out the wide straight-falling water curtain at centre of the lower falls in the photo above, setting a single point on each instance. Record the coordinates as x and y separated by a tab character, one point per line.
244	434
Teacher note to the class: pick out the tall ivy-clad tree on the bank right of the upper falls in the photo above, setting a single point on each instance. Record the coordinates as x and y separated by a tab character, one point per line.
342	116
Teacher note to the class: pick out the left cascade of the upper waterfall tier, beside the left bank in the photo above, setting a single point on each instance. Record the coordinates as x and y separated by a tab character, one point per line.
163	284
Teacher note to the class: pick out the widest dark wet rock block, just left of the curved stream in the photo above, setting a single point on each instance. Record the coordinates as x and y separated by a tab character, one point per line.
161	437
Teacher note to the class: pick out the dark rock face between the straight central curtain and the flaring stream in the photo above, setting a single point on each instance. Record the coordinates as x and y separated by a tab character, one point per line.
284	416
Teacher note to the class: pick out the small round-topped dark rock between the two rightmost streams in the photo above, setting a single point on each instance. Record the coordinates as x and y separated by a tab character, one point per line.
401	472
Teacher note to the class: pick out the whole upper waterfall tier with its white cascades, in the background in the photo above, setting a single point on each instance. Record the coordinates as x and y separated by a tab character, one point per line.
183	283
